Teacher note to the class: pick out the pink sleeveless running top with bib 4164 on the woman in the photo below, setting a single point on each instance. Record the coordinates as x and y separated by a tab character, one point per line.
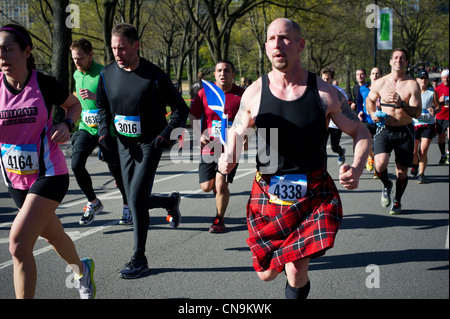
27	150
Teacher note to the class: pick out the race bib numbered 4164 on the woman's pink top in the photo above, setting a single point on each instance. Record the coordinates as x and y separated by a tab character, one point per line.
20	159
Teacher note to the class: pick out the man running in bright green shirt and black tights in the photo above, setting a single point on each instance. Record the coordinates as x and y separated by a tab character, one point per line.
85	140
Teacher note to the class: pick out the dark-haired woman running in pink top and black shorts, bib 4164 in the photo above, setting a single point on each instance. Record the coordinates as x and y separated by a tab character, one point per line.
32	164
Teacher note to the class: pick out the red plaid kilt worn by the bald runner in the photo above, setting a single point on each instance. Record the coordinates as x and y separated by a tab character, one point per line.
280	234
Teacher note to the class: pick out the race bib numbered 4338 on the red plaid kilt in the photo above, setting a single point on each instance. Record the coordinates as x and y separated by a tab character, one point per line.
287	189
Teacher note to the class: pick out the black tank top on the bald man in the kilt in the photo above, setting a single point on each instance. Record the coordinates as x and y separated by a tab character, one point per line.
301	130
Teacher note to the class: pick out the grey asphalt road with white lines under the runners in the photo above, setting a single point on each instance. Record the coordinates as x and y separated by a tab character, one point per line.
376	256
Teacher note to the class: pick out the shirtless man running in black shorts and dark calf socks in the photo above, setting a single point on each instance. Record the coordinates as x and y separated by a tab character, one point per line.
399	98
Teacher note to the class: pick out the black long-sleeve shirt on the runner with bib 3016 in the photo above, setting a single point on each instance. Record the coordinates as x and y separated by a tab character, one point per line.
143	92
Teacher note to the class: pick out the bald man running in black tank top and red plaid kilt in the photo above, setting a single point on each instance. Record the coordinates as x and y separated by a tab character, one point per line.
294	210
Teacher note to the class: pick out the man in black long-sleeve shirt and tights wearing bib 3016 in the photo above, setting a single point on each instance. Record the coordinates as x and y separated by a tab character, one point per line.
134	93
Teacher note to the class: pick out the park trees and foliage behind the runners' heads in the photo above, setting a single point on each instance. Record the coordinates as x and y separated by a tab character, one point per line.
184	37
